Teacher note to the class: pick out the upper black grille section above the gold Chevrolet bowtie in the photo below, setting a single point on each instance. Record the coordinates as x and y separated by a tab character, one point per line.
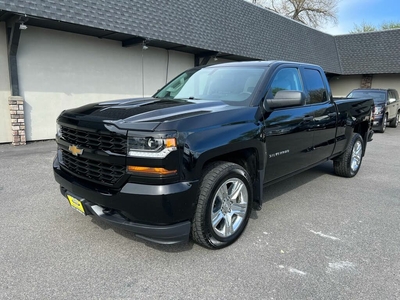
91	140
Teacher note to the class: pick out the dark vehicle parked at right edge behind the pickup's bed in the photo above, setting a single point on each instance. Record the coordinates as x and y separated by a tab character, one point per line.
387	106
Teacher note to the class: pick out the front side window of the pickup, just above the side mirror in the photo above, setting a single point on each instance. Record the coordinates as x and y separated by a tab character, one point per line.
287	79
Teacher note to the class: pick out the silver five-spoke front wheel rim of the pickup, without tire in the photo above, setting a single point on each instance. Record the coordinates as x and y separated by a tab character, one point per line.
229	207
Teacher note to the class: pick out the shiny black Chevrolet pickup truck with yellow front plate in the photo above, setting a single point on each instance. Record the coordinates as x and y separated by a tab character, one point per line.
193	159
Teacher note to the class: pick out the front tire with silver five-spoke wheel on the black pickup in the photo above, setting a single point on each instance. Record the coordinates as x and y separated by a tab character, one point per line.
224	205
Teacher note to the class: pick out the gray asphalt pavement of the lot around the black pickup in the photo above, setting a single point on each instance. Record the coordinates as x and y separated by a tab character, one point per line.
318	236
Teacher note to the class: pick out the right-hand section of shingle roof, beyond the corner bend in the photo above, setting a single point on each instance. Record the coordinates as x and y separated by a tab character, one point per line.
370	52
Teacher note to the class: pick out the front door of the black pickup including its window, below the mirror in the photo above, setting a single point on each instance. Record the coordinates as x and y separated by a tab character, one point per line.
287	129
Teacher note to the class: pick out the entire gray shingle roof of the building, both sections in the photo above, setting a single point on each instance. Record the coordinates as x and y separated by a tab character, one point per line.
235	26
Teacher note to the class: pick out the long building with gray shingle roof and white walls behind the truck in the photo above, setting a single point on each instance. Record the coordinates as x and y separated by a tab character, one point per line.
94	48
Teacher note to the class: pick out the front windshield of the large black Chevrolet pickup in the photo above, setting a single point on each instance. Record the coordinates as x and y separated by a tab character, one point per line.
232	84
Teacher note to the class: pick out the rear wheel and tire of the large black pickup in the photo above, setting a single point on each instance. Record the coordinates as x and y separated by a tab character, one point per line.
348	164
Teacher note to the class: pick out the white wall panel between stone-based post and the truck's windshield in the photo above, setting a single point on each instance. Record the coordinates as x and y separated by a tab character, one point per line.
60	70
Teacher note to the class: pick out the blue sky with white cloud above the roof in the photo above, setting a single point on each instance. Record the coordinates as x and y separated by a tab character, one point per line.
373	12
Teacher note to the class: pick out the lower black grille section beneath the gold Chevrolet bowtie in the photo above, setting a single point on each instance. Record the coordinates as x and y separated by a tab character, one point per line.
99	172
